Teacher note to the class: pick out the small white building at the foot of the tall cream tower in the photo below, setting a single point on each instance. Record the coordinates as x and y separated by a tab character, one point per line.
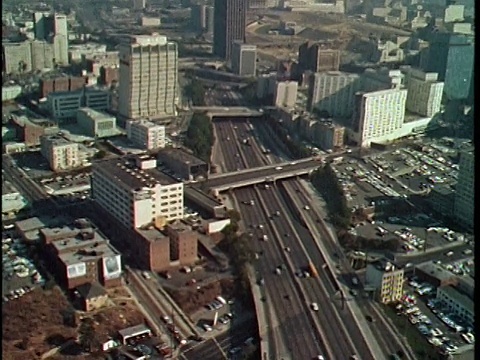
146	134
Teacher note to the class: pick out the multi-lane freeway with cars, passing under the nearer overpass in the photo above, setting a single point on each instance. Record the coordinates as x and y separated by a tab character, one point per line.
332	331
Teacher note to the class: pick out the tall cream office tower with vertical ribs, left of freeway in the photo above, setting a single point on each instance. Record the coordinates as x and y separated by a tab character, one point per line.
148	81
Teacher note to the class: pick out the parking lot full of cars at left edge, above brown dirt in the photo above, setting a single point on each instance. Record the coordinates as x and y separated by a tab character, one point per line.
19	272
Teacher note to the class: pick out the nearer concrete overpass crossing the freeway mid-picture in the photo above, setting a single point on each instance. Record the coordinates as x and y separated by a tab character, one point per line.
270	173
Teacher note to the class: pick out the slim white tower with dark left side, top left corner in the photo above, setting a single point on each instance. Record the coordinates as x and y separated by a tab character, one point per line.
53	28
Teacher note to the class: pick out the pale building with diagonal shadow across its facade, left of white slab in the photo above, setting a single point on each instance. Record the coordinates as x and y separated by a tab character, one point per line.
334	92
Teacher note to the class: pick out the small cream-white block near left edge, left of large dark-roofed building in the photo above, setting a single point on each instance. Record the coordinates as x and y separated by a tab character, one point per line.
60	153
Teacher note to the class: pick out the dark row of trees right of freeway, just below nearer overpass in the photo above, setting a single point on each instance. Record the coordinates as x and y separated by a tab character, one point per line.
325	181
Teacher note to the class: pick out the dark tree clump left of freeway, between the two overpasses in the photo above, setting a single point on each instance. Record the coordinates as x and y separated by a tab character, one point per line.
199	136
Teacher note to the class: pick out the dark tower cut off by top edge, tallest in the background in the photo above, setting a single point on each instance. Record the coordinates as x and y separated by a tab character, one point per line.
229	25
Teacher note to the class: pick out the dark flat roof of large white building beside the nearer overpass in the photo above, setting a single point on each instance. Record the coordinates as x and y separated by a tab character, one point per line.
125	169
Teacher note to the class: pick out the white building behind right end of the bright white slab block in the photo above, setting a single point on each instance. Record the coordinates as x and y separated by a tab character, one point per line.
424	92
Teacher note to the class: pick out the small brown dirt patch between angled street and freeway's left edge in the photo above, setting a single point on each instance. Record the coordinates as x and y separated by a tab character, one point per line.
191	300
